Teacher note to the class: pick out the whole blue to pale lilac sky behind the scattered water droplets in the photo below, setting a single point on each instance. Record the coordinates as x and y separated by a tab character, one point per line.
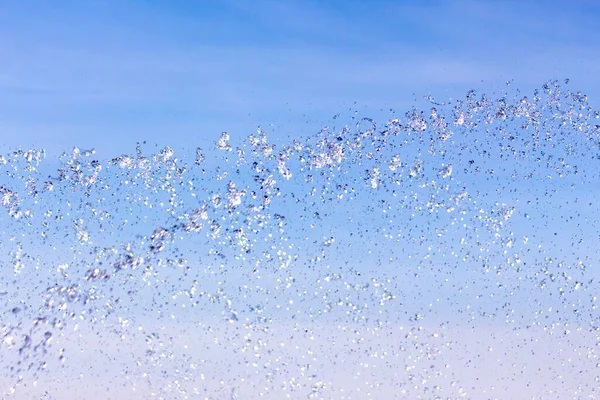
107	75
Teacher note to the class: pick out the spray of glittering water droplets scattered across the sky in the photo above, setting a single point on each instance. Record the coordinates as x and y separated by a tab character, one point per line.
448	252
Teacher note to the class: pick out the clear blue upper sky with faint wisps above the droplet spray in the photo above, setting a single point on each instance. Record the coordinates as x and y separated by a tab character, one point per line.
108	74
